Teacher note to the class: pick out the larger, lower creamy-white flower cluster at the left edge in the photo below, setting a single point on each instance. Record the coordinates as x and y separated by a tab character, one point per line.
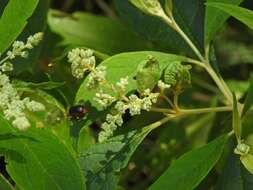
13	107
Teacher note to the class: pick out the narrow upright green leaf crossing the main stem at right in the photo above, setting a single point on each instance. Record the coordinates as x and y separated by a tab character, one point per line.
237	126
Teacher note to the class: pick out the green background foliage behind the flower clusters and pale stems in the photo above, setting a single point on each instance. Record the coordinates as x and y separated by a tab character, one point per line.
112	28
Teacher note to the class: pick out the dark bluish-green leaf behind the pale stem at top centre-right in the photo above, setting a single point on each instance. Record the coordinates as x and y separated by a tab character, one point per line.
189	14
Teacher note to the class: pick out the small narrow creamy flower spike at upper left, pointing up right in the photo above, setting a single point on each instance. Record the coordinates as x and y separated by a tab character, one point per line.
20	48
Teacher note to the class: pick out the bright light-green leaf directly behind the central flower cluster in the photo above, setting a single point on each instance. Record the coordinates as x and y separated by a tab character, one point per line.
123	65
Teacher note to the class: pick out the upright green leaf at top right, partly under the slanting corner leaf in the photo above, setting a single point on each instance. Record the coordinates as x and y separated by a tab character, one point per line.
215	18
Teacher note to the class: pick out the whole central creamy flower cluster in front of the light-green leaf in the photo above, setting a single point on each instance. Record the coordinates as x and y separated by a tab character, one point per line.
83	61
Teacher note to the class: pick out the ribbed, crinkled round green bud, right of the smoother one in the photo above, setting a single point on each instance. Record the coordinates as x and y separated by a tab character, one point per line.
178	76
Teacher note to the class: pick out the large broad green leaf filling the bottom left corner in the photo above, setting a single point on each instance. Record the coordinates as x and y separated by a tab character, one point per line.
36	159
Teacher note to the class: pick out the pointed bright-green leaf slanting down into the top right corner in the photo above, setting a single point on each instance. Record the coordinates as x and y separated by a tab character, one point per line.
242	14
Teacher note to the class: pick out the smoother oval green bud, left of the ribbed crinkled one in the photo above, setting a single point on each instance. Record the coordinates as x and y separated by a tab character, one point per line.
148	74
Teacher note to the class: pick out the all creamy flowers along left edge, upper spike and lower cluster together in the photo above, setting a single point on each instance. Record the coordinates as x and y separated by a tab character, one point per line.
12	106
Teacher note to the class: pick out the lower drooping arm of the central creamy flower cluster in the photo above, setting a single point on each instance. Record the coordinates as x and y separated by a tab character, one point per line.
133	103
